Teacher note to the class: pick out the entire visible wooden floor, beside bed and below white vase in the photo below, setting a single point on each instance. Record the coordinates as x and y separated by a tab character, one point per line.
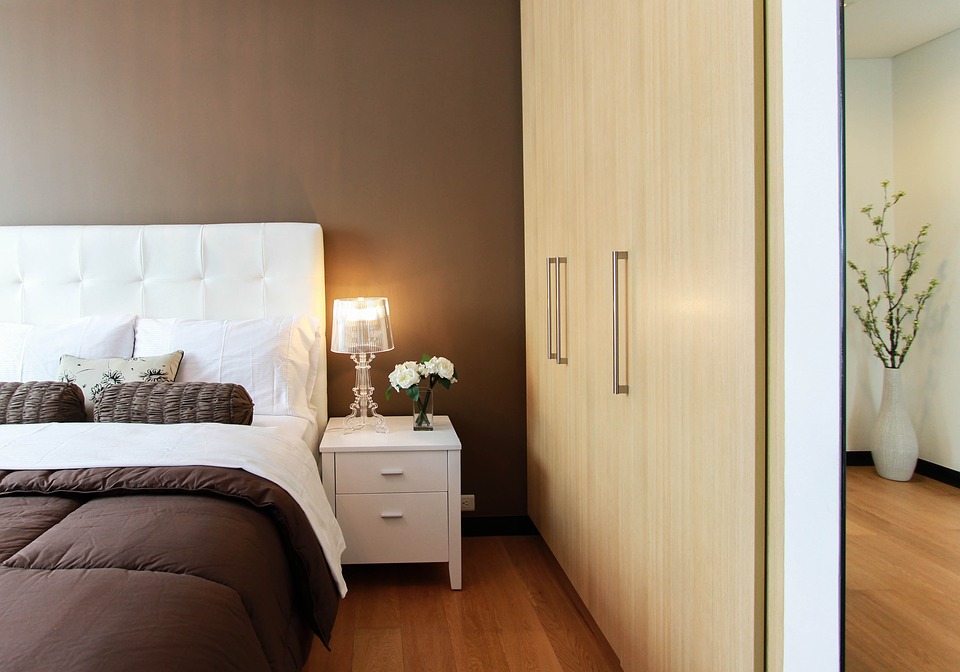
517	612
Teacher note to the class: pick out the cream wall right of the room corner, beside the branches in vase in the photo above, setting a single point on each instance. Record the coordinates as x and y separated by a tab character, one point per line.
926	112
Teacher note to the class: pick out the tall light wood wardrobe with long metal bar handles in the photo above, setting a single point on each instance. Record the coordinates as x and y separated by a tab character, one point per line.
643	135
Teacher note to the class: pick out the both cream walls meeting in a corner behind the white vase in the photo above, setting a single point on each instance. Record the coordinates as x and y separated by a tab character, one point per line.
903	124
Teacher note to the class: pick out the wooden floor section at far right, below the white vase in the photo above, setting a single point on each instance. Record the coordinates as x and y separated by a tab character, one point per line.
903	574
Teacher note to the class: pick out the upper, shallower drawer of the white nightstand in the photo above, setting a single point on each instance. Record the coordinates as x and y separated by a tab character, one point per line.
422	471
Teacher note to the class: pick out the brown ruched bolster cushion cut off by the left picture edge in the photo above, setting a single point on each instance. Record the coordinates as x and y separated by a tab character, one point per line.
40	401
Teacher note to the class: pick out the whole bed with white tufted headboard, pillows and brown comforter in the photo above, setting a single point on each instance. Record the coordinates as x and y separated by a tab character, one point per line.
179	531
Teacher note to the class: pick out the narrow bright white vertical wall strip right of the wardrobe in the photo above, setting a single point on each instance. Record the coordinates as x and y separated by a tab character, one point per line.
811	178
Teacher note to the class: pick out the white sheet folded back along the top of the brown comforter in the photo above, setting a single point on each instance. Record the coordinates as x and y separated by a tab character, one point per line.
272	448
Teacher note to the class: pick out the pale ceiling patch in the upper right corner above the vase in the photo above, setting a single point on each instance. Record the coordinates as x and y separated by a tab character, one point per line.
885	28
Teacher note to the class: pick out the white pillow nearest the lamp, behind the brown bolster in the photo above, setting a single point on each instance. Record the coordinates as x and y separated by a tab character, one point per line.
269	357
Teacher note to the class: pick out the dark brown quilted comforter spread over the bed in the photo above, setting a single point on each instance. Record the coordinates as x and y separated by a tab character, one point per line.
157	568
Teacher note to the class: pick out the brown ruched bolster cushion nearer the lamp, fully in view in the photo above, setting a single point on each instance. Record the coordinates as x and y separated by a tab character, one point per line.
170	403
